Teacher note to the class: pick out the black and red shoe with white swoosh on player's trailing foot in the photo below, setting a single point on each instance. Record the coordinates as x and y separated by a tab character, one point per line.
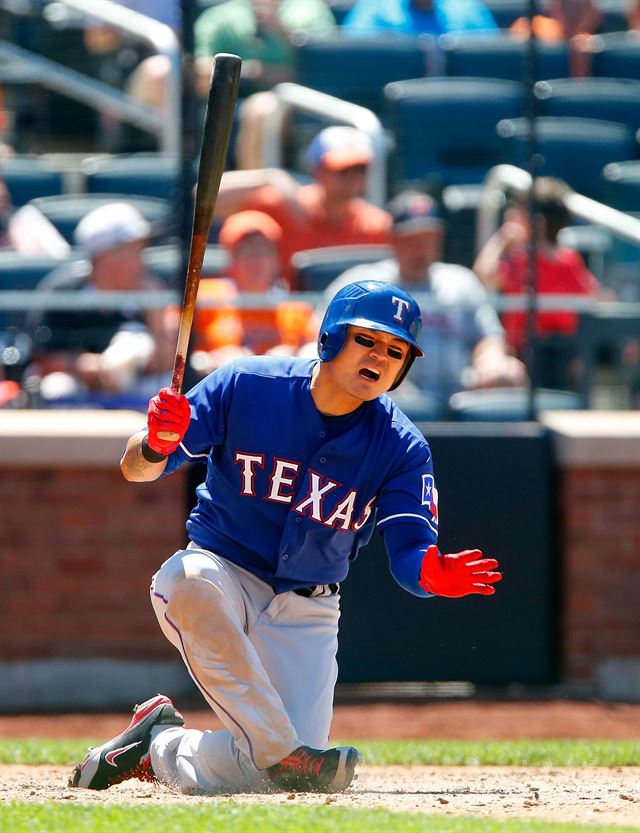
127	756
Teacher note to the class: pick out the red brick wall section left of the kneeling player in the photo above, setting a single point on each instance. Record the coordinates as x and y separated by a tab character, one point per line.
78	548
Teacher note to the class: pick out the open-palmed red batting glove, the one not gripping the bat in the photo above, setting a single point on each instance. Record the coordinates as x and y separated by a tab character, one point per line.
458	574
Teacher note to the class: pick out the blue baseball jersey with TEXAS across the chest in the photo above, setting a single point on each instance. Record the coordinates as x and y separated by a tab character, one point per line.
290	494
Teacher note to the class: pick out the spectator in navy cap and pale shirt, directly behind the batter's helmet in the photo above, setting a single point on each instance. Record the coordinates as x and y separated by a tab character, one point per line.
463	342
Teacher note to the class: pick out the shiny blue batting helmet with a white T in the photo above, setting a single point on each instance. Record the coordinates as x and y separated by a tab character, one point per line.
375	305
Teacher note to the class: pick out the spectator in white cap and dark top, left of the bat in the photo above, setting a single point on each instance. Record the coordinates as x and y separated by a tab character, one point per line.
125	351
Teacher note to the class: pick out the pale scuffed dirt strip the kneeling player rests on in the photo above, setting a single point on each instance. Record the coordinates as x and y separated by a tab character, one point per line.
604	795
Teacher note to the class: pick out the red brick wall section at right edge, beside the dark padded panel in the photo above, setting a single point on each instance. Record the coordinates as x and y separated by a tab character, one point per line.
600	510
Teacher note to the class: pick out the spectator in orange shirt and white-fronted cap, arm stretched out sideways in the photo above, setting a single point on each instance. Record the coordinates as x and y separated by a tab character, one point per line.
328	212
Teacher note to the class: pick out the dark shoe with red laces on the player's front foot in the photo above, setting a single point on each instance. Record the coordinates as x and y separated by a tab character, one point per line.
315	770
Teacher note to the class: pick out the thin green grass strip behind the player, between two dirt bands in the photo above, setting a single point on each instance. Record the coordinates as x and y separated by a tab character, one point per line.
435	753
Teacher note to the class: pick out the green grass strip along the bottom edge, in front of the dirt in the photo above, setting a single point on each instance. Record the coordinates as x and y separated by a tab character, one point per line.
227	816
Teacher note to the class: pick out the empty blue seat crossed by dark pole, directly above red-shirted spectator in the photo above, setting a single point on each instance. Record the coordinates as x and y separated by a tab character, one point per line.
571	149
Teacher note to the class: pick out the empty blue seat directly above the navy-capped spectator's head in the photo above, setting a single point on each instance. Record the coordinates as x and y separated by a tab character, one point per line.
445	128
